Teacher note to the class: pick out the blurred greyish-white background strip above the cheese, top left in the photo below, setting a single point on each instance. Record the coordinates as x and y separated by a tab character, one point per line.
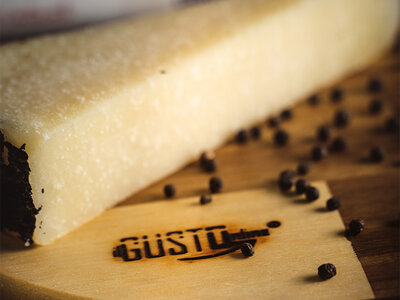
25	18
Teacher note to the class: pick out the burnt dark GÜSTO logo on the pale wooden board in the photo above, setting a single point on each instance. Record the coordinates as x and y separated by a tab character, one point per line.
190	244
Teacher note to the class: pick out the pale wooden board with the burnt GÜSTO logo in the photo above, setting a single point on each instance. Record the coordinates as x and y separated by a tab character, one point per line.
182	250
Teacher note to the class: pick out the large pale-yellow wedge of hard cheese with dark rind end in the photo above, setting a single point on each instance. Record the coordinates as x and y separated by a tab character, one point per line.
90	117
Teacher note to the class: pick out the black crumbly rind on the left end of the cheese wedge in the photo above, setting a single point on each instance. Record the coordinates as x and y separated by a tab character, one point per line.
17	209
